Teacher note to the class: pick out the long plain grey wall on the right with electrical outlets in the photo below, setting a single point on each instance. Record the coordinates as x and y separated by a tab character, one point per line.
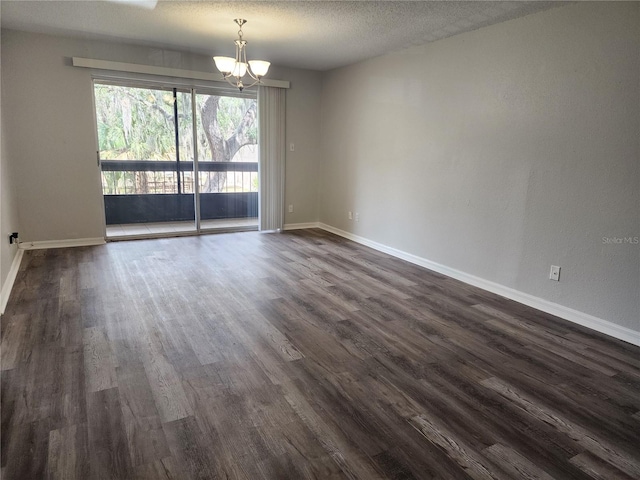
499	153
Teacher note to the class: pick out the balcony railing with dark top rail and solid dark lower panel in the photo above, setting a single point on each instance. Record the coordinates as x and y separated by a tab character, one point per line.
147	191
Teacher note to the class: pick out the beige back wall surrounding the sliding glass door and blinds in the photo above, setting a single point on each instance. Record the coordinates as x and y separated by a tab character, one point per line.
49	118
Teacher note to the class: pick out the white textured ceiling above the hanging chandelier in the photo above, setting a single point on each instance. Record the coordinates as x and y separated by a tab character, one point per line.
318	35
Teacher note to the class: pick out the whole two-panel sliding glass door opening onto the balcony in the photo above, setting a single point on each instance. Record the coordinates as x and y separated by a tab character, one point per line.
153	144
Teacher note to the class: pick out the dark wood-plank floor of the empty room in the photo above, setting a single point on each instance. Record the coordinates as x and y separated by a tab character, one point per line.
294	356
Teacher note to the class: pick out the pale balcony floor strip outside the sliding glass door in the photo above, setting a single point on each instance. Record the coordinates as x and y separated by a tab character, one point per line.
116	232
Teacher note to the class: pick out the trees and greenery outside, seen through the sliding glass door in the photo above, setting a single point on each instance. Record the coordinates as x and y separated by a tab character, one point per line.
138	124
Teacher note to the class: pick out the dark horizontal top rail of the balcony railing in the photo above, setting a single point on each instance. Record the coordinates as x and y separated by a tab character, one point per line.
170	166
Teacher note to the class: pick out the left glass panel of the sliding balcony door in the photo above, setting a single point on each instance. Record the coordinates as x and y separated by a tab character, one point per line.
146	153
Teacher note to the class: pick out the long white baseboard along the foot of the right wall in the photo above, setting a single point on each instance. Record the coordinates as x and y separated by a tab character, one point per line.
575	316
